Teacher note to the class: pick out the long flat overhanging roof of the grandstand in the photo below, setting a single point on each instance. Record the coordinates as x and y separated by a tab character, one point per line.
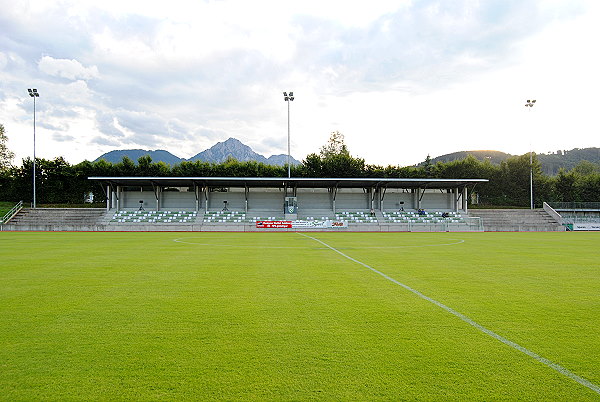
300	182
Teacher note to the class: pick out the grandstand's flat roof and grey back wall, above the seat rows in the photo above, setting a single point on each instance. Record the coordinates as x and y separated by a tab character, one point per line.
306	195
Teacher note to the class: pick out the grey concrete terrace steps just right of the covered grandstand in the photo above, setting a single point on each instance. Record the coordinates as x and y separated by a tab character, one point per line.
516	220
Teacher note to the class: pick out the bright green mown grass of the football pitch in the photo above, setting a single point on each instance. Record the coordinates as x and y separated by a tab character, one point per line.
278	316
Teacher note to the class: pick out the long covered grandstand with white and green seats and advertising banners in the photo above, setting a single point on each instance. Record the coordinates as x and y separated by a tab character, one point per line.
257	203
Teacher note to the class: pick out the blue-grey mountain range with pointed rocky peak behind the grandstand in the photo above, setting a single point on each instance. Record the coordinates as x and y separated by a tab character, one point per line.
218	153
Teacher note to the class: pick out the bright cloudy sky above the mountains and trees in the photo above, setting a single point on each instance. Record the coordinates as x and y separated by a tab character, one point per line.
400	79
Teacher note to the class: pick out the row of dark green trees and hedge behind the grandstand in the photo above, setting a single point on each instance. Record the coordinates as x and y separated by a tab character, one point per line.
59	182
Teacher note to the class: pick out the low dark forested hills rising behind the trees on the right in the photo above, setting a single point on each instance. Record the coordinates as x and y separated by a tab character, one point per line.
551	162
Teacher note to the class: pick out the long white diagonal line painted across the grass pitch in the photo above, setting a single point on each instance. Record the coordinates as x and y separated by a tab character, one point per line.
469	321
